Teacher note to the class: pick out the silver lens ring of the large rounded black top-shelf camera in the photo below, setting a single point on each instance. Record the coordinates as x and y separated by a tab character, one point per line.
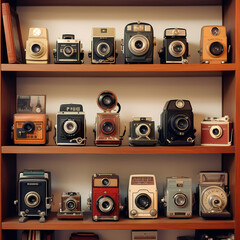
143	42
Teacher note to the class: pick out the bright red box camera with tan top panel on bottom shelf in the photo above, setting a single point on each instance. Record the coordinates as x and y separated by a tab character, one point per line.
105	197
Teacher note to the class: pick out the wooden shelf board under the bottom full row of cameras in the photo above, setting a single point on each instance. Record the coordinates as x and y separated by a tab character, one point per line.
52	223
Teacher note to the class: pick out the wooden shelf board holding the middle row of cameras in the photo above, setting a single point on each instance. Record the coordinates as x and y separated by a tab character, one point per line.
116	150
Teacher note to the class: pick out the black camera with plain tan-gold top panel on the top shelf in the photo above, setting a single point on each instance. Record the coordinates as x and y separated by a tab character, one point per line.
103	46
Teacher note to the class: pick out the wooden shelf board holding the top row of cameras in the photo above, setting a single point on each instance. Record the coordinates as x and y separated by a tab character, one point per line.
118	70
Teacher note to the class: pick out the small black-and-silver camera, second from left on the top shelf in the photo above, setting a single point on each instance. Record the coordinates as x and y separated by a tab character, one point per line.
68	50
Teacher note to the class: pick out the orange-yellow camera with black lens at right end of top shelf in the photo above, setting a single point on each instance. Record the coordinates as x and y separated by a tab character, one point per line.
213	45
